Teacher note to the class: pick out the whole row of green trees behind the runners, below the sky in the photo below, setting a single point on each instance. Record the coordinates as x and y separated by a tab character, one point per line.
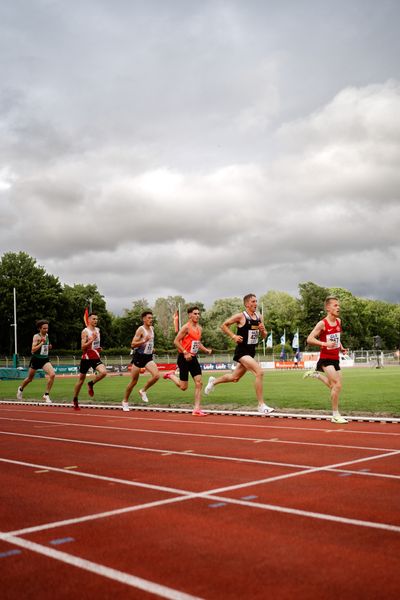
41	295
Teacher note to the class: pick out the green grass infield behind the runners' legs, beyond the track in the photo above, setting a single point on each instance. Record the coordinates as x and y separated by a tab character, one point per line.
365	391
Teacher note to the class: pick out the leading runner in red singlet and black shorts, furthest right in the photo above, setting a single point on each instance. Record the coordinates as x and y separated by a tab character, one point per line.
326	334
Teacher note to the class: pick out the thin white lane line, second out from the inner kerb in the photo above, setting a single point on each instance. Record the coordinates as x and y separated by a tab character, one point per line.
200	435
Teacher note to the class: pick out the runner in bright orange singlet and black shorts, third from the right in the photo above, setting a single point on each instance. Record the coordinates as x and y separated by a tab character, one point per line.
188	342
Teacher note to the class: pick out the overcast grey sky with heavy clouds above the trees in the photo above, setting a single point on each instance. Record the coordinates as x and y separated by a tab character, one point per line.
202	147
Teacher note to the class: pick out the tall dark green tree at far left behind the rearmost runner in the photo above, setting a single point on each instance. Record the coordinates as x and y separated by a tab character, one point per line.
38	297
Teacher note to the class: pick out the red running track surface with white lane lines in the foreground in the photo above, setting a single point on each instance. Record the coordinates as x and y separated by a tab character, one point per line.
104	504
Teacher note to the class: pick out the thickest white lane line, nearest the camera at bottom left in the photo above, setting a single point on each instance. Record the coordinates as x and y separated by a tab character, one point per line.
86	565
